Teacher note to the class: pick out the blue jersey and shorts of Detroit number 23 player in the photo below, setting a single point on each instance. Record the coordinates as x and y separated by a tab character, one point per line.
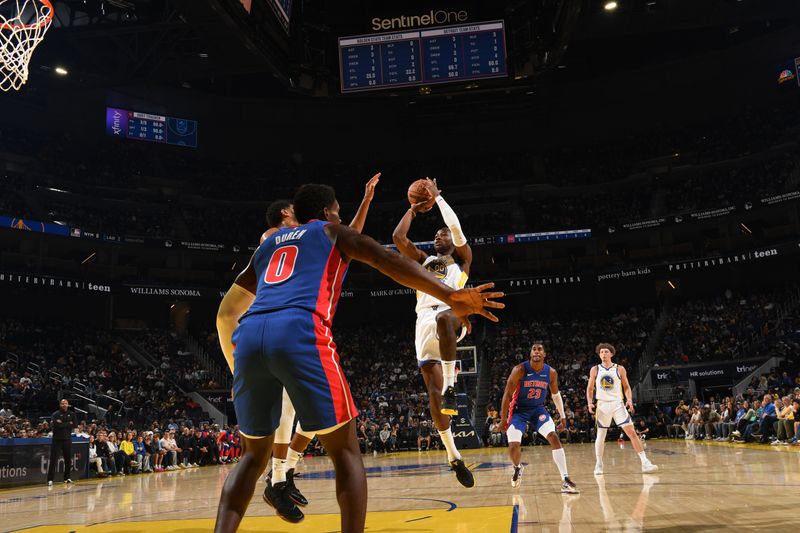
528	404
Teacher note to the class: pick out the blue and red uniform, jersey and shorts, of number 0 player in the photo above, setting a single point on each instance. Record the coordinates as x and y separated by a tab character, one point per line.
284	340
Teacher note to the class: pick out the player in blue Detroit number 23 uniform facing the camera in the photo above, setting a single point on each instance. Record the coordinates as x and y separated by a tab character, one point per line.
524	402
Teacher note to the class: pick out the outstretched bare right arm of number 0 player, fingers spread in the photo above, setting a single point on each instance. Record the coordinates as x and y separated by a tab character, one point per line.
463	302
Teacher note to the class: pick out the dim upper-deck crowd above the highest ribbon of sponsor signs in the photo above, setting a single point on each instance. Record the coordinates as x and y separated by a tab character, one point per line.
147	205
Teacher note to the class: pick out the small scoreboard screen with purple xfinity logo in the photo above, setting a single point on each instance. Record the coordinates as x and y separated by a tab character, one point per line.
148	127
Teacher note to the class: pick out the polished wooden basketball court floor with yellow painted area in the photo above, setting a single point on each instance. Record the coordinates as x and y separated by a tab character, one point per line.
700	487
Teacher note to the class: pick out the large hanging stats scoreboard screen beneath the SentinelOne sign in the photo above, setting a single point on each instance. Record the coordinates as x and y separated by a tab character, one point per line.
422	57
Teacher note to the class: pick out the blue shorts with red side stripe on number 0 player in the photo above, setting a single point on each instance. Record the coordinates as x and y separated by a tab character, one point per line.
291	349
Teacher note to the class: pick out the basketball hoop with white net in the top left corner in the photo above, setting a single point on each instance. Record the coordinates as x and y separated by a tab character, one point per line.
23	24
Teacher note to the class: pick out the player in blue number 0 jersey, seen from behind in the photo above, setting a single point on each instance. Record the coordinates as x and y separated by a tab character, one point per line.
290	289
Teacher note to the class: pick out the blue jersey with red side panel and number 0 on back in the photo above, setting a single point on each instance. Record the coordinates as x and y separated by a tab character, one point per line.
299	268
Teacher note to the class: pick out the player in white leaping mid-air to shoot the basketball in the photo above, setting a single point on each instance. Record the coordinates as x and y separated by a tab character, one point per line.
438	330
